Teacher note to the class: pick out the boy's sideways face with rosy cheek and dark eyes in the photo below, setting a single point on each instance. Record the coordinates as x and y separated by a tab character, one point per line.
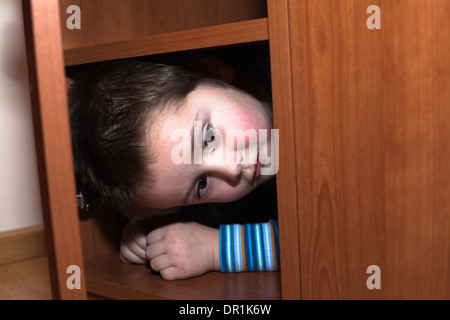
211	150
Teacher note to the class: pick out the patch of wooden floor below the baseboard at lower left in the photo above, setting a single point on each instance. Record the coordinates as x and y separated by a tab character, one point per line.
25	280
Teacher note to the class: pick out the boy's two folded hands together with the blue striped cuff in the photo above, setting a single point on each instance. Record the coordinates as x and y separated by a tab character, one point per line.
185	250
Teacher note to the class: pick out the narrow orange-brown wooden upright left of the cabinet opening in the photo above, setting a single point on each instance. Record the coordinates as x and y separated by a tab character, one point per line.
53	147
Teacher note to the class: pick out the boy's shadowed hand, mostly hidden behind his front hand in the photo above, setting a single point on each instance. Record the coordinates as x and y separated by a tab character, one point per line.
133	244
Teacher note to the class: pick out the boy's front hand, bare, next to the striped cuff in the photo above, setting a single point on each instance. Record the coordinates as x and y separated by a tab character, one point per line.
183	250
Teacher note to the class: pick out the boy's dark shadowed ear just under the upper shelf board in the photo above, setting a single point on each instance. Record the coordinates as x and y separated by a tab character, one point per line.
210	66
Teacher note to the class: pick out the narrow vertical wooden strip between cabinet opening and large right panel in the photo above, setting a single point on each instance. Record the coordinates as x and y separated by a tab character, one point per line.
283	120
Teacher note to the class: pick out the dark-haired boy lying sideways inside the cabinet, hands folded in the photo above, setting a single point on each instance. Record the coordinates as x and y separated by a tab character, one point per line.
124	119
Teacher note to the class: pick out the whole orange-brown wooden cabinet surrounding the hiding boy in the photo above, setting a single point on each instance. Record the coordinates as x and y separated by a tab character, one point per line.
363	115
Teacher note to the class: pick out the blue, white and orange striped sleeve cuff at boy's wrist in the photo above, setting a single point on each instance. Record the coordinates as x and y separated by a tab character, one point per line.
249	247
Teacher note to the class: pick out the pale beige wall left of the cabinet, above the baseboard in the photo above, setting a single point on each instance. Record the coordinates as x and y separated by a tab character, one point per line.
19	187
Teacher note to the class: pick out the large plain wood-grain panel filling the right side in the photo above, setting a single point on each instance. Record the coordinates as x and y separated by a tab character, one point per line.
372	135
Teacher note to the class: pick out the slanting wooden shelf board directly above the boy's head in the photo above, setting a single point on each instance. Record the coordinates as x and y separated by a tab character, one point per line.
221	35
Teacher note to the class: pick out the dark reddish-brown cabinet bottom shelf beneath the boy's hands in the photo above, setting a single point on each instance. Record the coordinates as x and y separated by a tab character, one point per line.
107	276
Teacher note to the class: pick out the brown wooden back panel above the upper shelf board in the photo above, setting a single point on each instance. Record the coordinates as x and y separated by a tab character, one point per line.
116	20
